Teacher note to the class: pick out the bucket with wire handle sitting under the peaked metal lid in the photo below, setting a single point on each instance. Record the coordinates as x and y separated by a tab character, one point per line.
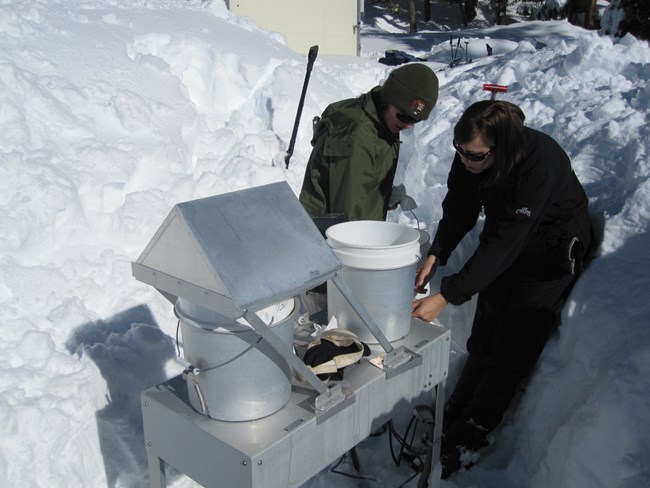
237	380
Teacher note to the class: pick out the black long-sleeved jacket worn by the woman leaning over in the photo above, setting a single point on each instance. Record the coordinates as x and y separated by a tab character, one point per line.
530	219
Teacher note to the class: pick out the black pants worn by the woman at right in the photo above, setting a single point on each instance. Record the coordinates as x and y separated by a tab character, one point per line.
514	317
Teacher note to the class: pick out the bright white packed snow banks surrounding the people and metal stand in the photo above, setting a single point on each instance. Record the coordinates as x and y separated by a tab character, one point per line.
112	112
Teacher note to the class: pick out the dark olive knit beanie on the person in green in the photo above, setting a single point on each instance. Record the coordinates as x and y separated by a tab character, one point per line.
413	89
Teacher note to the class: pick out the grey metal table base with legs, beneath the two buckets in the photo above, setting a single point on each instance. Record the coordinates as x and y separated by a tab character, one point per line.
289	447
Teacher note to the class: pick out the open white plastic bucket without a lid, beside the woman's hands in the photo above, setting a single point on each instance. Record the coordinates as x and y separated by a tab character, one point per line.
379	263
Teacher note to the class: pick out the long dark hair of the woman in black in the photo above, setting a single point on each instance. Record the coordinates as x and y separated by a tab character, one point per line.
501	124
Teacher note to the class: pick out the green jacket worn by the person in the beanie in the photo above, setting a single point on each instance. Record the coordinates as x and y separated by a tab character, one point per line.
353	161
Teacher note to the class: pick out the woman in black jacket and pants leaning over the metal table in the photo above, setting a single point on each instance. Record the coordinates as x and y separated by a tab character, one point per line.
536	239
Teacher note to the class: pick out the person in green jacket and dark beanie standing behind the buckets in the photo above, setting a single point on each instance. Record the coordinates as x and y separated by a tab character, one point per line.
356	145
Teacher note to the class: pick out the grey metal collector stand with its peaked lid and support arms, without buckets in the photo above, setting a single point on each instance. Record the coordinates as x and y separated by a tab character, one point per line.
236	254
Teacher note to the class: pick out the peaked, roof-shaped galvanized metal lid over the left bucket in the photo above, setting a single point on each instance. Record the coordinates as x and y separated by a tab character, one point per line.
237	251
